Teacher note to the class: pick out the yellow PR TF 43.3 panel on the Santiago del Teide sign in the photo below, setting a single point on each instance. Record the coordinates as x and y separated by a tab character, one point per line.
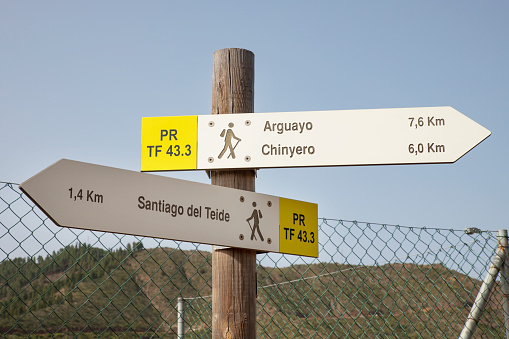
298	227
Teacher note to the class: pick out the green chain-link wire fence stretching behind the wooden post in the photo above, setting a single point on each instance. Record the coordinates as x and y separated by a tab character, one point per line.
370	281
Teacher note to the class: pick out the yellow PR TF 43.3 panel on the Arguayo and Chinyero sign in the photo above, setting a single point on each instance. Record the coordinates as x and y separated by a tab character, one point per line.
169	143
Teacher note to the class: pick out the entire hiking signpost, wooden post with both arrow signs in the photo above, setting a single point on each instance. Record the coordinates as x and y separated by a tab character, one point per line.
231	146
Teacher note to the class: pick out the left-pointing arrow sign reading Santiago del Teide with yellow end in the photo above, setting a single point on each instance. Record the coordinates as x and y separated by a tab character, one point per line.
88	196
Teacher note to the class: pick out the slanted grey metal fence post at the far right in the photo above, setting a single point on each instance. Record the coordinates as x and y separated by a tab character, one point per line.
484	292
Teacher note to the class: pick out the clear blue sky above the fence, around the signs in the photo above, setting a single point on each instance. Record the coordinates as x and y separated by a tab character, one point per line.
77	77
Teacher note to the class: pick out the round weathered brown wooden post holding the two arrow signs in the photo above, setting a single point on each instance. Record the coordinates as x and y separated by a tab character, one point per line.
233	269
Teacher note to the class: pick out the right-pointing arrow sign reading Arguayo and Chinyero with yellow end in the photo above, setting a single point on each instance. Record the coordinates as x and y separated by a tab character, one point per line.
296	139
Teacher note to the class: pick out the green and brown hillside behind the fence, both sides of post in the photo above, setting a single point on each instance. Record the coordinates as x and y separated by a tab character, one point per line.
84	291
